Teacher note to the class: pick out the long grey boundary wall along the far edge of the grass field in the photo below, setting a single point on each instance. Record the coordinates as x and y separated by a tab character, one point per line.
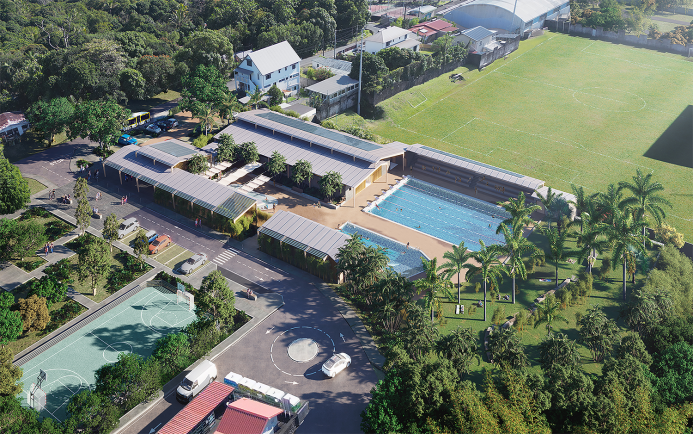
621	38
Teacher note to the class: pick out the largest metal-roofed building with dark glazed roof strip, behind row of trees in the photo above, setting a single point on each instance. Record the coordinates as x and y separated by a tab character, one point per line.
360	162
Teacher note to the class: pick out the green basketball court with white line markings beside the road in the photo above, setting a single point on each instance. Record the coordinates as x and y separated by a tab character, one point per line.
132	326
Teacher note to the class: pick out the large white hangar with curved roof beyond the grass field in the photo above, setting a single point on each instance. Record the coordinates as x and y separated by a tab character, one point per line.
509	15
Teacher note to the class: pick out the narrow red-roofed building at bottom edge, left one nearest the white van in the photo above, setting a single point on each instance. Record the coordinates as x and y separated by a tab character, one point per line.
201	410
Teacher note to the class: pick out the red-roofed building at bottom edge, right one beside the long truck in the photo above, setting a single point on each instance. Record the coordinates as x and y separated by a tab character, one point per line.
246	416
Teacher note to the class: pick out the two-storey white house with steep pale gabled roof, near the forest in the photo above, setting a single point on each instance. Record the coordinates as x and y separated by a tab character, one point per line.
277	64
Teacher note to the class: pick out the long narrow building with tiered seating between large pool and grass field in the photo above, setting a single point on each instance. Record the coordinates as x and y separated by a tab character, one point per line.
467	173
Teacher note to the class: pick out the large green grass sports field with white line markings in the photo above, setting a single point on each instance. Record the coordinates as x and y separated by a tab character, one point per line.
565	110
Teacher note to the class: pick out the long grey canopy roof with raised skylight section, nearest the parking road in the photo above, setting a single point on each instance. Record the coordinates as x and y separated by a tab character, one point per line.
197	189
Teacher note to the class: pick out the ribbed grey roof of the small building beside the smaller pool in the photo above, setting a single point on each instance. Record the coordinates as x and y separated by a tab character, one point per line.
304	234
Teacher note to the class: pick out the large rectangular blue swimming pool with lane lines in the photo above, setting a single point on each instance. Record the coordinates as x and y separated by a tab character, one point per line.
441	213
